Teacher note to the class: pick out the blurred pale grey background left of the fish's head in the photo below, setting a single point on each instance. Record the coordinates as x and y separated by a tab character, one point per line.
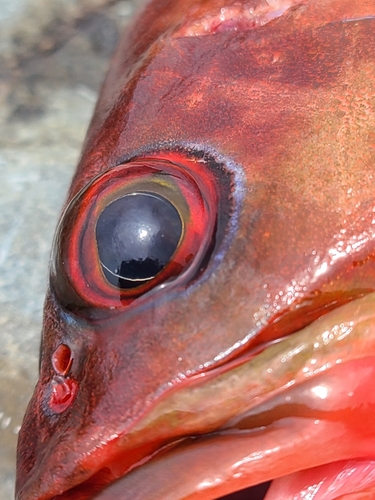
53	56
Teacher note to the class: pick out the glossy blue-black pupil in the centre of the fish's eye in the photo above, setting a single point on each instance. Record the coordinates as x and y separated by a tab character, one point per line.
136	237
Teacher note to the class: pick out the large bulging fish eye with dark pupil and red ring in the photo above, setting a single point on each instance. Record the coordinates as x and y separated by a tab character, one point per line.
144	225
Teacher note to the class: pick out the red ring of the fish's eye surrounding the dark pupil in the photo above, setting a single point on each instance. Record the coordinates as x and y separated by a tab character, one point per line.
189	184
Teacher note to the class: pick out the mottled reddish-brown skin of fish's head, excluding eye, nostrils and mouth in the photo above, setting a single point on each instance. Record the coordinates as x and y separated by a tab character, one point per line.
292	106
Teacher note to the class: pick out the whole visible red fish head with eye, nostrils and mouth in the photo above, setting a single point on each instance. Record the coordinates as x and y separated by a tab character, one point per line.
210	320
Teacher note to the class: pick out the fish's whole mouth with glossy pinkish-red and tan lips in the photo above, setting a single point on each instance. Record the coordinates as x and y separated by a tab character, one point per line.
298	414
